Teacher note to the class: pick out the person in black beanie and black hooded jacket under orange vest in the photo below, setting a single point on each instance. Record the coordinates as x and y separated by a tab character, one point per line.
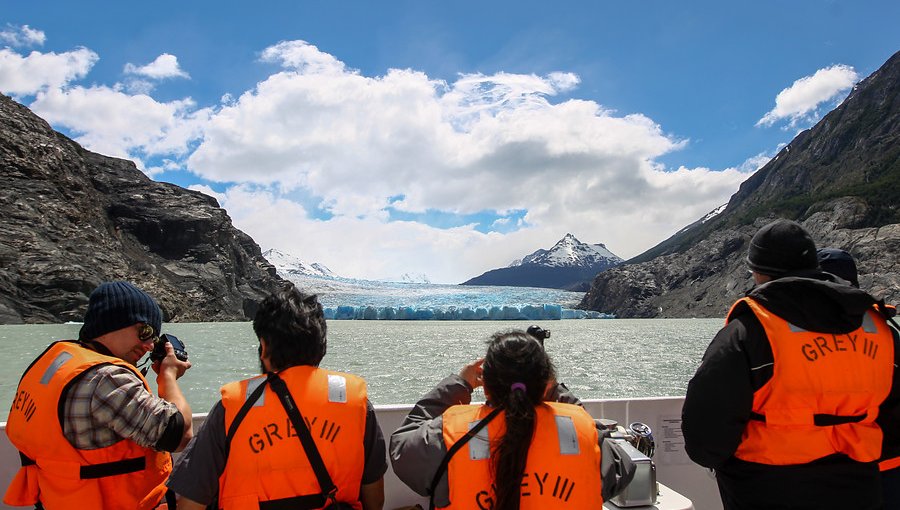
796	397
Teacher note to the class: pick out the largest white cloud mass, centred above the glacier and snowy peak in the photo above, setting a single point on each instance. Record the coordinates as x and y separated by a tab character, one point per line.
479	143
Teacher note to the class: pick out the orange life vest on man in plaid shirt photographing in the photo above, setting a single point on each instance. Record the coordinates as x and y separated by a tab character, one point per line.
122	476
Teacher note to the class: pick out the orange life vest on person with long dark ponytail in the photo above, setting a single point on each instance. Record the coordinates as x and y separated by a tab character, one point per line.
563	466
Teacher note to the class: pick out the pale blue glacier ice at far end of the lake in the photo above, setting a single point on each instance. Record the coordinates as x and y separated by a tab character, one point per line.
355	299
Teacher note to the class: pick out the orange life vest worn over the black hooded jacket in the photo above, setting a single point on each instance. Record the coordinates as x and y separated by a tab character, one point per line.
824	393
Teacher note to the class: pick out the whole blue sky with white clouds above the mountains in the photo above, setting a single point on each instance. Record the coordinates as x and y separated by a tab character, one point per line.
382	138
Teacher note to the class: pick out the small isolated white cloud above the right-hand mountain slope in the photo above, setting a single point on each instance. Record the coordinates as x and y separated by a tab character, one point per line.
801	100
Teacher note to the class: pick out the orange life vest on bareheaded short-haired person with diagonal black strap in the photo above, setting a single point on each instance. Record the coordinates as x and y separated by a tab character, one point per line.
265	458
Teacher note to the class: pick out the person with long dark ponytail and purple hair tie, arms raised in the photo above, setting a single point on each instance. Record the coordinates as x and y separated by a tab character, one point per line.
519	447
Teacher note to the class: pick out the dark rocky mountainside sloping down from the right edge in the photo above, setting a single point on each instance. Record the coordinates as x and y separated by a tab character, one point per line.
840	179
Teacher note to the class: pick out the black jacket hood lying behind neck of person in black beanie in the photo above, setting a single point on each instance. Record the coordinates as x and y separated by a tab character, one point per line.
815	301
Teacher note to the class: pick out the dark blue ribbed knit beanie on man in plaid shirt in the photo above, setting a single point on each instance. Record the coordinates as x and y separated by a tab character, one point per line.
116	305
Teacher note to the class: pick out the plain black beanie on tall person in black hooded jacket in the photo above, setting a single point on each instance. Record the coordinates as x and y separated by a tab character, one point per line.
782	247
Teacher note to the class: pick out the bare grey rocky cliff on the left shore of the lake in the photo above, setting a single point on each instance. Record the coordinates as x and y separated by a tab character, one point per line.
70	218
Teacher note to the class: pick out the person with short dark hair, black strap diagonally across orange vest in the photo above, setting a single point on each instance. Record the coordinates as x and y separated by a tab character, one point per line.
298	436
